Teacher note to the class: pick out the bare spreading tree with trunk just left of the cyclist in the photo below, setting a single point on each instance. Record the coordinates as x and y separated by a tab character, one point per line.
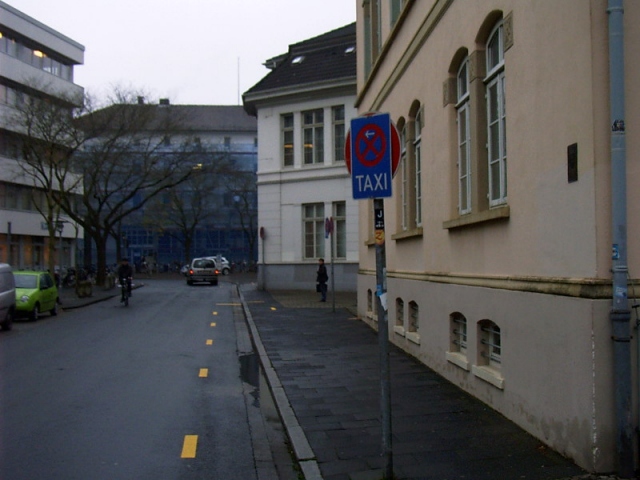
129	160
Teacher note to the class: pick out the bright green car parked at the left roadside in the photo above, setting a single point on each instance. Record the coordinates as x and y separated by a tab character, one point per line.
35	292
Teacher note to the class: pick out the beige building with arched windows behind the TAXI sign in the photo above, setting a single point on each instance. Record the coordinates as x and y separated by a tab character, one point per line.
500	278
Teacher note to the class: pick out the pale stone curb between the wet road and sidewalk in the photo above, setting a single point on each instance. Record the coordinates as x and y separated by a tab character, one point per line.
303	452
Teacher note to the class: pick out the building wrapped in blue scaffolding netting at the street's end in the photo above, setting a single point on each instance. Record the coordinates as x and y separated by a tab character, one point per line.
222	133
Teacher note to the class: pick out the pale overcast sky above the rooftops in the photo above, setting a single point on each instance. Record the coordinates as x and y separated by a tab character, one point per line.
190	51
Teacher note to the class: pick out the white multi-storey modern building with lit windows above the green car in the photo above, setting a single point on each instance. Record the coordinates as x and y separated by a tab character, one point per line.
32	56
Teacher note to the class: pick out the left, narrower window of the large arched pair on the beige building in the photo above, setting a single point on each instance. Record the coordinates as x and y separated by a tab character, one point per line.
464	140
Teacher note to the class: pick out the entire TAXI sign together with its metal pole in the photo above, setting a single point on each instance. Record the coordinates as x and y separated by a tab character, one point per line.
372	159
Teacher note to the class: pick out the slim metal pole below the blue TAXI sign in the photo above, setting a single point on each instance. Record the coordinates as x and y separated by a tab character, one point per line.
383	335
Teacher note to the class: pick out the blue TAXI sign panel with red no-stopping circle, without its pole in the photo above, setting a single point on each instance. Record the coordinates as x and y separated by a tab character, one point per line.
372	152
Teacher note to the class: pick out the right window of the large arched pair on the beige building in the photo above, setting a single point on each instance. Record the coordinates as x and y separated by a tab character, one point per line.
496	118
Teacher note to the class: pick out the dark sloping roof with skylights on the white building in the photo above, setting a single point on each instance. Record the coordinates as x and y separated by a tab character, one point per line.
330	56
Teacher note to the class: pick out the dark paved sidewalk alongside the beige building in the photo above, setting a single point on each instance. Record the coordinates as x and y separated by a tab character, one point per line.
323	370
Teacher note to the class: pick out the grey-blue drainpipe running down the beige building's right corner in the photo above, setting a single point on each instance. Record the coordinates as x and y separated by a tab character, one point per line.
620	313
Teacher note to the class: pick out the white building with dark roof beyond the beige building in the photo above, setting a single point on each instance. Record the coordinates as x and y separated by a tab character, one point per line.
305	206
